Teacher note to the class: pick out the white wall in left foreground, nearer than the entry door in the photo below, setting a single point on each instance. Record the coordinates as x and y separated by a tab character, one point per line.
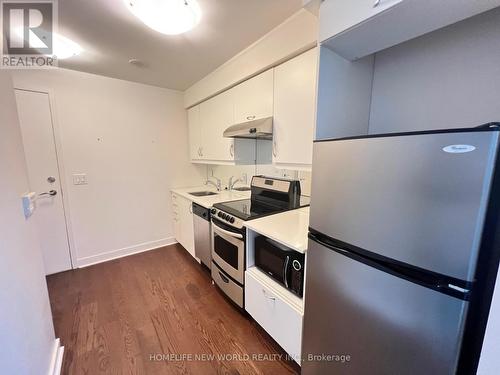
27	339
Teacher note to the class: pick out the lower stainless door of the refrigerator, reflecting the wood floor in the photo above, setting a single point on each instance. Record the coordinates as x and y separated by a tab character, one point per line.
385	324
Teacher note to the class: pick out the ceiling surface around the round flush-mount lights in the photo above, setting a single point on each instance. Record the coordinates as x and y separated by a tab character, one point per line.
110	36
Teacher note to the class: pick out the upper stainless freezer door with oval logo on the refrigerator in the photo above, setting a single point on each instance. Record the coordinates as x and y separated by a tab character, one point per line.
417	199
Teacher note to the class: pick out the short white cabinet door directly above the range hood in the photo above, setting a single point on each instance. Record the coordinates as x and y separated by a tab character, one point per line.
253	99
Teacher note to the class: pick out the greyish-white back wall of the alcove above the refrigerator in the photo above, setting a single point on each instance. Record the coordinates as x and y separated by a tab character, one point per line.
446	79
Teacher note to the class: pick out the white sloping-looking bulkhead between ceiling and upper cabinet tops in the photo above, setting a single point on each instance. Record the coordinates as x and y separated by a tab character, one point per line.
294	36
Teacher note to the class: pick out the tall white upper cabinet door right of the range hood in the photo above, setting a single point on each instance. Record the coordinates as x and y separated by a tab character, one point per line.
294	109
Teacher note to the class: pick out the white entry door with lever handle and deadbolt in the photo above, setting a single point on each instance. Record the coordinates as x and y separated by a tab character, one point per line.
37	131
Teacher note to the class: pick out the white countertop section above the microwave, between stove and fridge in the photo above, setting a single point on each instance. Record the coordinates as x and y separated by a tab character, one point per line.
288	228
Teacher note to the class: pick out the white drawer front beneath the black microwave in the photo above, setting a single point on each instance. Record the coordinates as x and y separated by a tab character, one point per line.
275	311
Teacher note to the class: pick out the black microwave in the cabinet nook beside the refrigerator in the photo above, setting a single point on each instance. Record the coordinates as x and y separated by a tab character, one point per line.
284	265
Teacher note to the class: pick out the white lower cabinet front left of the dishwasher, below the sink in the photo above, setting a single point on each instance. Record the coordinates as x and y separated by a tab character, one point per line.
183	222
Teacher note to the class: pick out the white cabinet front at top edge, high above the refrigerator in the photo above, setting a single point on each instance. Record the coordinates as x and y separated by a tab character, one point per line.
337	16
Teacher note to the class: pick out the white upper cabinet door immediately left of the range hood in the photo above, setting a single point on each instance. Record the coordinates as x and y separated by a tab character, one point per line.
216	115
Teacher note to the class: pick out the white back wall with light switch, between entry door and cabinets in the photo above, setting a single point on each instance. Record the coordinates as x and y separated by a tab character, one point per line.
132	142
